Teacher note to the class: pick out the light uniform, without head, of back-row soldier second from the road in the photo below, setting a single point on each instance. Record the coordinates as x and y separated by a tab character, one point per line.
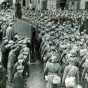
72	72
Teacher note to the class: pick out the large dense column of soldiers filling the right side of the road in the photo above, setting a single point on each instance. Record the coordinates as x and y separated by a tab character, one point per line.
63	46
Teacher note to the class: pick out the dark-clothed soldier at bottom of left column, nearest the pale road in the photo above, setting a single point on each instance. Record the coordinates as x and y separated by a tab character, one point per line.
18	81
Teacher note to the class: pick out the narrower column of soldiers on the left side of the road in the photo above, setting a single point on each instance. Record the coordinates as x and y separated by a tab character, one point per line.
15	53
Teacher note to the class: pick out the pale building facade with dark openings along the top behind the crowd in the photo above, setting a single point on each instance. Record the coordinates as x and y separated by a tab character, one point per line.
53	4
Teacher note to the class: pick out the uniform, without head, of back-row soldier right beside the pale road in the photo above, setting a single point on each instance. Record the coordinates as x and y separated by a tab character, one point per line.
51	70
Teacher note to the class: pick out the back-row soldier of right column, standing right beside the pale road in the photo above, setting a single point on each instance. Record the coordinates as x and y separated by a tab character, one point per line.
52	72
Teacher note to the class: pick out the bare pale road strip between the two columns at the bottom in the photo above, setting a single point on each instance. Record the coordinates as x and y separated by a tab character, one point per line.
36	77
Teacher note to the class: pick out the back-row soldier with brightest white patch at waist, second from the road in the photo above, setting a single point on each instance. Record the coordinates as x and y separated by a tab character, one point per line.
71	74
